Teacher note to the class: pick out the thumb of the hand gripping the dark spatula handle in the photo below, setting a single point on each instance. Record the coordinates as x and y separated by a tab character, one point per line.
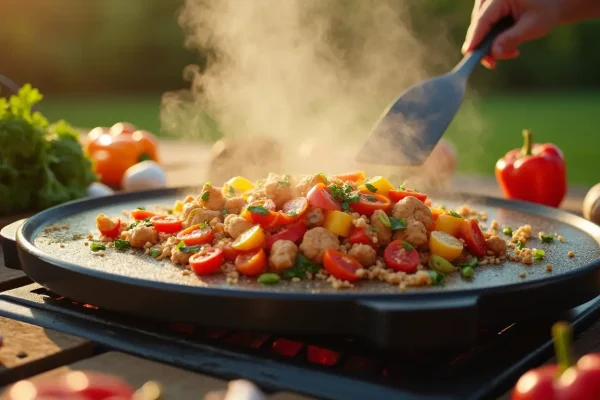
528	27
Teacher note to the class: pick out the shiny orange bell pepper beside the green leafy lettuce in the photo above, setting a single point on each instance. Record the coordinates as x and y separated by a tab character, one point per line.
114	151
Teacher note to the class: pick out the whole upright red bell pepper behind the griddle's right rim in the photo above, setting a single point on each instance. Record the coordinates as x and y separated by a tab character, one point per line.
534	173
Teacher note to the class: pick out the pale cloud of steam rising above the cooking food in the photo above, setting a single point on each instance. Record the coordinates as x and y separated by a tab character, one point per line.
312	74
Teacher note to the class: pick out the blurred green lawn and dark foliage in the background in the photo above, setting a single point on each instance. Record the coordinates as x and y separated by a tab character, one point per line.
100	61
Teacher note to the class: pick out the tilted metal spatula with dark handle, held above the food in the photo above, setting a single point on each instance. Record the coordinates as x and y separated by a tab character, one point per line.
410	128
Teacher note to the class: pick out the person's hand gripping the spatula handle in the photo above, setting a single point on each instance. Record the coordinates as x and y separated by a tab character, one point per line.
533	19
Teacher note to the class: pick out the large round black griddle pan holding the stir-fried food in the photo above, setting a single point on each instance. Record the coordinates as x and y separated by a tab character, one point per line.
431	317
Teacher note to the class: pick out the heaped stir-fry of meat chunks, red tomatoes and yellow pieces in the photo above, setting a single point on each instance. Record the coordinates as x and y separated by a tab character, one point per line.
341	229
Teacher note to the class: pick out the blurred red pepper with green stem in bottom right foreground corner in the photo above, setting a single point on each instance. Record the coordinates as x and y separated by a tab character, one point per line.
564	381
